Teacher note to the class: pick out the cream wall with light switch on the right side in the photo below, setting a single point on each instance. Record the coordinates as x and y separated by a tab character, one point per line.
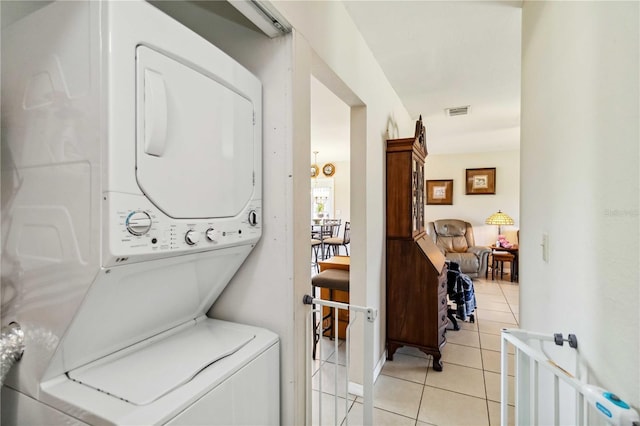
580	182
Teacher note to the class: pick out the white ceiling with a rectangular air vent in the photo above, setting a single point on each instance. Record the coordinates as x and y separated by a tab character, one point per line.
437	55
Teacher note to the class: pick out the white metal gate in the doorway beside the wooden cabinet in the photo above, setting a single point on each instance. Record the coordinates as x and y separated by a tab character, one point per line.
314	325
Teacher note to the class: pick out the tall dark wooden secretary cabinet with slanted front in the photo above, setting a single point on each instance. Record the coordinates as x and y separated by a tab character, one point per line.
416	271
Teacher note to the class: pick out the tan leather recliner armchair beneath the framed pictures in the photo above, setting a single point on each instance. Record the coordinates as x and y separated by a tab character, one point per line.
455	239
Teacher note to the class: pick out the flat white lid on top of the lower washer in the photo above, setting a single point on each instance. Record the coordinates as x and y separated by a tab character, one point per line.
141	376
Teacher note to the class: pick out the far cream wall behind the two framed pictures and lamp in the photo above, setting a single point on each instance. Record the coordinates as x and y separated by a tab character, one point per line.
475	209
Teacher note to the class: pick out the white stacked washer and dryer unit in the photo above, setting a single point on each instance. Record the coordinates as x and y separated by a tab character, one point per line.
131	194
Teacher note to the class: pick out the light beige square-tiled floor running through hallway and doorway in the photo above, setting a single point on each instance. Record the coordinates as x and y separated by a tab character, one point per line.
408	390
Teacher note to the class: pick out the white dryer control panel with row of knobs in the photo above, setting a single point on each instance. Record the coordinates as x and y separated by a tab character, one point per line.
139	231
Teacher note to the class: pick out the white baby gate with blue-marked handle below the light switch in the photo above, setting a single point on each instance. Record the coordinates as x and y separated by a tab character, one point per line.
530	365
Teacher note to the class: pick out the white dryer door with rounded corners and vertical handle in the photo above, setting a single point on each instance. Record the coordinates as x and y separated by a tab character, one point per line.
195	139
